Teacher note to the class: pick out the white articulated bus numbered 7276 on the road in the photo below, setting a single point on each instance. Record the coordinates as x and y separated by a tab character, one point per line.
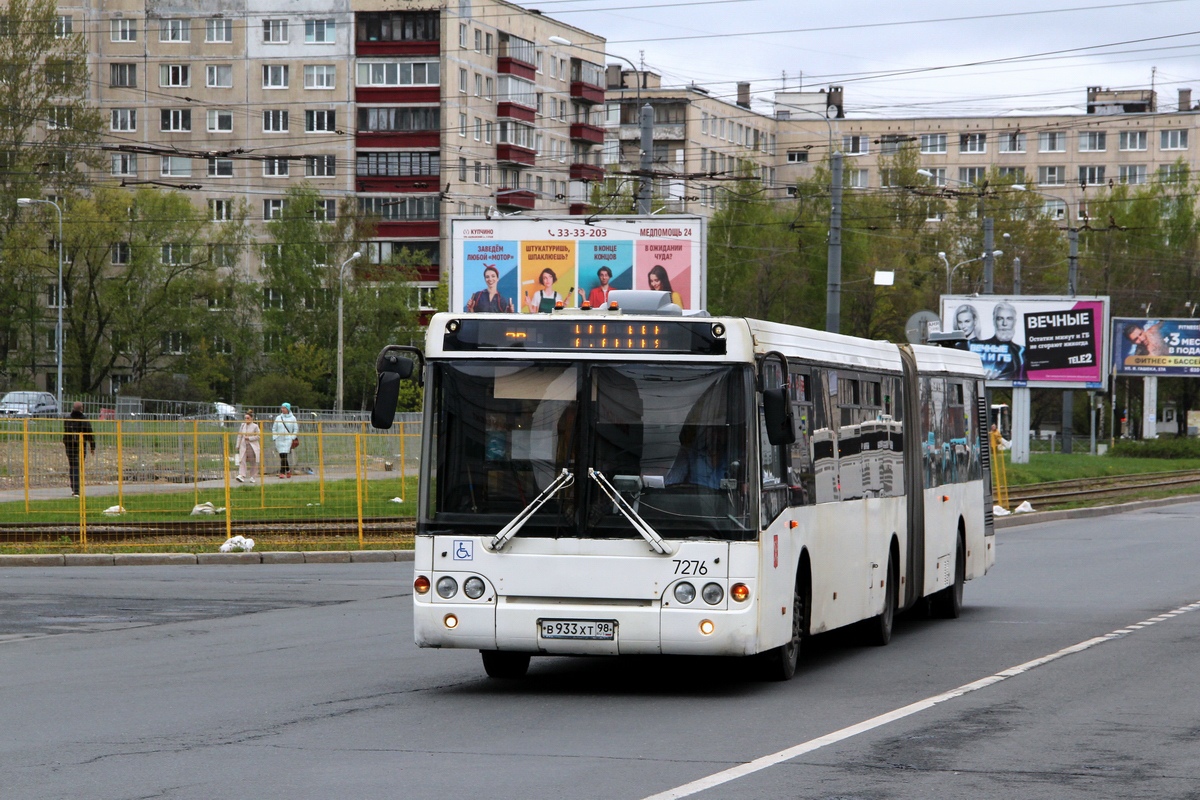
605	483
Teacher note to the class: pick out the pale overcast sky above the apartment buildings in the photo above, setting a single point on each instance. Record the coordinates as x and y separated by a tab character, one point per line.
908	57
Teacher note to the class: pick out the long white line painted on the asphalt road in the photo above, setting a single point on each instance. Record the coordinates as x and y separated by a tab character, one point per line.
766	762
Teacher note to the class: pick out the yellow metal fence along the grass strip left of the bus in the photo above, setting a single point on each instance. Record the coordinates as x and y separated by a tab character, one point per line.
175	485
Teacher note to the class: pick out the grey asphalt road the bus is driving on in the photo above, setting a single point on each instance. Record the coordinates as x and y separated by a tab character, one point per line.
302	682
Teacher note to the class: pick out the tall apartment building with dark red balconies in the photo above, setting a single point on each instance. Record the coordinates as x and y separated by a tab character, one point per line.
422	113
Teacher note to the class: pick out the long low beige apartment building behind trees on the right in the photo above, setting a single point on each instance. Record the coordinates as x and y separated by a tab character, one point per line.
1065	159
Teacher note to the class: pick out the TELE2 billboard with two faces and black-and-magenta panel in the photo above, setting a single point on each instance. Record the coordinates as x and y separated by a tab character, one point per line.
1035	341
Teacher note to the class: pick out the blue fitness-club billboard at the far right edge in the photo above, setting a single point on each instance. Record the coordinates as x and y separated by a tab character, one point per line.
1156	347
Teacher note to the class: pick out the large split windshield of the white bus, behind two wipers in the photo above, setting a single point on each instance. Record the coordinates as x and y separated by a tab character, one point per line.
673	440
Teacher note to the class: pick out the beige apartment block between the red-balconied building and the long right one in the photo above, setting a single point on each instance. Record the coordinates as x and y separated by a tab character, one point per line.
703	142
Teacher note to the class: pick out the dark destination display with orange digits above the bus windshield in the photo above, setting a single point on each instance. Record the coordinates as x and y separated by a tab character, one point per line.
598	335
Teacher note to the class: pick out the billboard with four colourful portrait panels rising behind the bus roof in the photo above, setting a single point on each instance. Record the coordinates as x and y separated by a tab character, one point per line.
527	266
